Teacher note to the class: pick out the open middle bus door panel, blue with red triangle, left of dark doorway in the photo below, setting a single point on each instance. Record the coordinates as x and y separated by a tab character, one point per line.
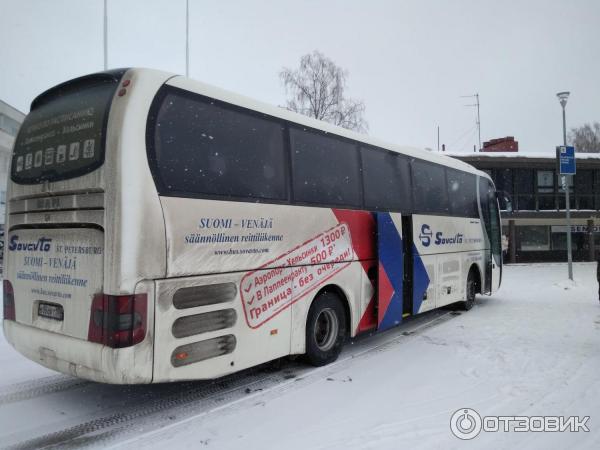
391	275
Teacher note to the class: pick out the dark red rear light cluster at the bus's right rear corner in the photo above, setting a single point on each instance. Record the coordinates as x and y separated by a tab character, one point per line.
118	321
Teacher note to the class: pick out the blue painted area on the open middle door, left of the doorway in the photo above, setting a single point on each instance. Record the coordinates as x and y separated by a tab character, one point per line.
391	258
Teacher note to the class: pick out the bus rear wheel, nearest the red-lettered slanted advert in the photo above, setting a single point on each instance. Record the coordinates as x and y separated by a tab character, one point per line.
325	329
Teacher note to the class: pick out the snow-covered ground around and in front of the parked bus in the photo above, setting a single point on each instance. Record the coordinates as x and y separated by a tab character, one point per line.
532	349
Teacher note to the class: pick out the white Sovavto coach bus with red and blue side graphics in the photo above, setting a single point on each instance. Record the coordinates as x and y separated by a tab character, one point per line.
161	229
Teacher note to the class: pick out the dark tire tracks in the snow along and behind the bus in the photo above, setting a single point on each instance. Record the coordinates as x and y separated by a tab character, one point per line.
192	400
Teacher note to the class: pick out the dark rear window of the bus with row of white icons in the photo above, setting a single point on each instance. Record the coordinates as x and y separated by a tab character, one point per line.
64	134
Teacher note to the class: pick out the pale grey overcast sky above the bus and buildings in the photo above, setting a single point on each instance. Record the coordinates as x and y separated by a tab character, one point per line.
410	61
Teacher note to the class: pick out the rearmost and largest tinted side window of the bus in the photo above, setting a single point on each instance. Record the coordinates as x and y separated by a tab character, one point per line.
202	147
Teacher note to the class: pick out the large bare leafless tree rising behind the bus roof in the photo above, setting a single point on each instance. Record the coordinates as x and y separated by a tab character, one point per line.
317	88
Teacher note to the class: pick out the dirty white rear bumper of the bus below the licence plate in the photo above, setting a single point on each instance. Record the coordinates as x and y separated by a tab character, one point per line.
77	357
